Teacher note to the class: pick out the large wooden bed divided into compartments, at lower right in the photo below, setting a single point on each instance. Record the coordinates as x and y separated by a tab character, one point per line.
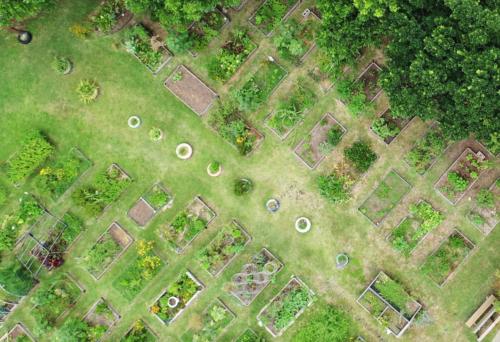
387	301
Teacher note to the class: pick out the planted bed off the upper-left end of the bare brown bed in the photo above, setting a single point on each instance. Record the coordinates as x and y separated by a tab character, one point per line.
147	48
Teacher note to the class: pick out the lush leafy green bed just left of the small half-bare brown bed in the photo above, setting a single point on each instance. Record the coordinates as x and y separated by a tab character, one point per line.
105	189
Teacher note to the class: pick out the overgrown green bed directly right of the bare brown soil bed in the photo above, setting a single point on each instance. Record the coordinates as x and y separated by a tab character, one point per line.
260	85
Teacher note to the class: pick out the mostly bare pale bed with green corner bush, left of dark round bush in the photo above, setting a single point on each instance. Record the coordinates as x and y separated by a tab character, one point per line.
324	136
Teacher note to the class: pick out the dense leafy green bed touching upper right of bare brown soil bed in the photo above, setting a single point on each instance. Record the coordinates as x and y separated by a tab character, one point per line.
233	53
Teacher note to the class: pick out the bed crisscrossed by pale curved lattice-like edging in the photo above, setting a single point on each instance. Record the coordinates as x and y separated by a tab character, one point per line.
255	276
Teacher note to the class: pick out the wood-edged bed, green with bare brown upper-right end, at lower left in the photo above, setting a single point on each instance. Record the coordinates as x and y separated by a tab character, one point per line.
108	248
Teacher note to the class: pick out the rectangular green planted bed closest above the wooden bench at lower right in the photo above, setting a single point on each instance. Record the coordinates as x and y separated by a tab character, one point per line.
444	262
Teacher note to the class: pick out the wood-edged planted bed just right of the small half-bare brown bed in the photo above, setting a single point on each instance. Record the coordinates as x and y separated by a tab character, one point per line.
187	224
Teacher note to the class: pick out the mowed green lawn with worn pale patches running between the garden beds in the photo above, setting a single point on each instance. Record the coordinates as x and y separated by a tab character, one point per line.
32	95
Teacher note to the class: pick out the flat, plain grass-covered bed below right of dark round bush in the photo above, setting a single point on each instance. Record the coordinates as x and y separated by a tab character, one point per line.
385	197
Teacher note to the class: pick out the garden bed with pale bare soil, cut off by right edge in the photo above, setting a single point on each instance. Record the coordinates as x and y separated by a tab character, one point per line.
486	208
